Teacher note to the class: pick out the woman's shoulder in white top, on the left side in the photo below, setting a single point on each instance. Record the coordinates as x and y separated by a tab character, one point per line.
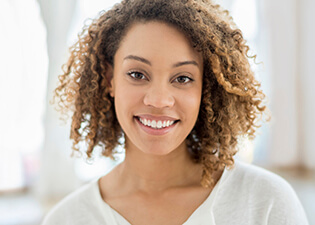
79	207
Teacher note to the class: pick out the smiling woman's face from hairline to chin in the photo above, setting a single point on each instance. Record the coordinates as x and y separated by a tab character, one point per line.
157	85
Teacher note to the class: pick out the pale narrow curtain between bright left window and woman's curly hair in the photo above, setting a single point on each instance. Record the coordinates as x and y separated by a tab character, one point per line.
56	177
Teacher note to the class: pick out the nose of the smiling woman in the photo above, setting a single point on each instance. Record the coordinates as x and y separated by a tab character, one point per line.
159	97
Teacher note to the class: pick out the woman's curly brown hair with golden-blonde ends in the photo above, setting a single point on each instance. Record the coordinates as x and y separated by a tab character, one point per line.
232	102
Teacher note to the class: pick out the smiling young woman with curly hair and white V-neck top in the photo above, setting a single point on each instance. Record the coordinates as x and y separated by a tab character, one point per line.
173	79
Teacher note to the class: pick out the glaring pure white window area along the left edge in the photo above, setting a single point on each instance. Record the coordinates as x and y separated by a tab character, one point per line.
23	80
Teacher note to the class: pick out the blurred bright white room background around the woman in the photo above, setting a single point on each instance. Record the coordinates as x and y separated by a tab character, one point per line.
36	169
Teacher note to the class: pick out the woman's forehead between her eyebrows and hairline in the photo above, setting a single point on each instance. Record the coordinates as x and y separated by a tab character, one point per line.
157	40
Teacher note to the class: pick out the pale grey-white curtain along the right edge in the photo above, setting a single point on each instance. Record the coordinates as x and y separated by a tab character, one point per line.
289	33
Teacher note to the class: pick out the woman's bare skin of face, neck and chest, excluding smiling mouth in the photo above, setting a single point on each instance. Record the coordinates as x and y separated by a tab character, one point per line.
164	79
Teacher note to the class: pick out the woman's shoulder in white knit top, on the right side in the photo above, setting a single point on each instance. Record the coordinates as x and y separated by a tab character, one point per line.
257	194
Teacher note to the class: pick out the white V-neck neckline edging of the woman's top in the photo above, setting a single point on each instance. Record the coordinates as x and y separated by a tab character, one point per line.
202	213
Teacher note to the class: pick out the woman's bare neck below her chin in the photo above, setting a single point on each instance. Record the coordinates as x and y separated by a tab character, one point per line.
155	173
